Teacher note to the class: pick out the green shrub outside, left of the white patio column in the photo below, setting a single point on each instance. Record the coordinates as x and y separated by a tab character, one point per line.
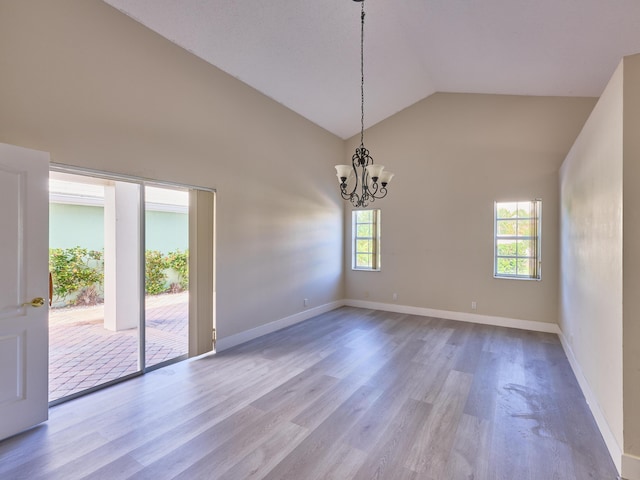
75	269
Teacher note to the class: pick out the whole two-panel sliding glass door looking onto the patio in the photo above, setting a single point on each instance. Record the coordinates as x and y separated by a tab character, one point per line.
119	262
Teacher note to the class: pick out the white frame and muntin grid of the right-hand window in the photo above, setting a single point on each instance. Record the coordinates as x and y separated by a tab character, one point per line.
535	206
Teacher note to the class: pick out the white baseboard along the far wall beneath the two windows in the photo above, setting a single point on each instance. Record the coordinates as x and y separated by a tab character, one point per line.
461	316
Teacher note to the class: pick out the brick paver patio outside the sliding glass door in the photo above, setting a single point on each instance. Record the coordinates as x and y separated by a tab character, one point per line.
83	354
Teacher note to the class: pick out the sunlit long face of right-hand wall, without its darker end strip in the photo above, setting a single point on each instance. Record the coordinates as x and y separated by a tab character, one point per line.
591	252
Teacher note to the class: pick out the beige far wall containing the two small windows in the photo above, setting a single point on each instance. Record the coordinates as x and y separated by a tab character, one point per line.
454	155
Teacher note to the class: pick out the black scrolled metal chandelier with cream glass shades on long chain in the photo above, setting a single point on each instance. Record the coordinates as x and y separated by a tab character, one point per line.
362	181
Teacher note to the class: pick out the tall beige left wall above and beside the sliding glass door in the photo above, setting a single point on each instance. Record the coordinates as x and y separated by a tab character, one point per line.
97	90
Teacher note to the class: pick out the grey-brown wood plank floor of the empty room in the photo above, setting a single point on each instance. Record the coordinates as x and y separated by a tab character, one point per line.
351	394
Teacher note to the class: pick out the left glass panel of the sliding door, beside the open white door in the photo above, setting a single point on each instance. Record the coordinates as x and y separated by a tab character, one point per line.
94	333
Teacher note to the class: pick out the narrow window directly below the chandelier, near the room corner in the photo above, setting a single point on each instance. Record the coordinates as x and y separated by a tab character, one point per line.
366	239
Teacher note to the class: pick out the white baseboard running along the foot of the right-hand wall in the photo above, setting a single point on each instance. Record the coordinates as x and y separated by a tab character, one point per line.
609	439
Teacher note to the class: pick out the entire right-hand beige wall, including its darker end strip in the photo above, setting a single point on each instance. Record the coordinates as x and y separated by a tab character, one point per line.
600	225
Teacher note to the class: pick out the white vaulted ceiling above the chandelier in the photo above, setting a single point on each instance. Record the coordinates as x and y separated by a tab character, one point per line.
306	54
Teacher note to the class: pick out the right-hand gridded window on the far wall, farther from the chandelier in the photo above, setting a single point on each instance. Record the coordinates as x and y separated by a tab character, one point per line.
517	239
